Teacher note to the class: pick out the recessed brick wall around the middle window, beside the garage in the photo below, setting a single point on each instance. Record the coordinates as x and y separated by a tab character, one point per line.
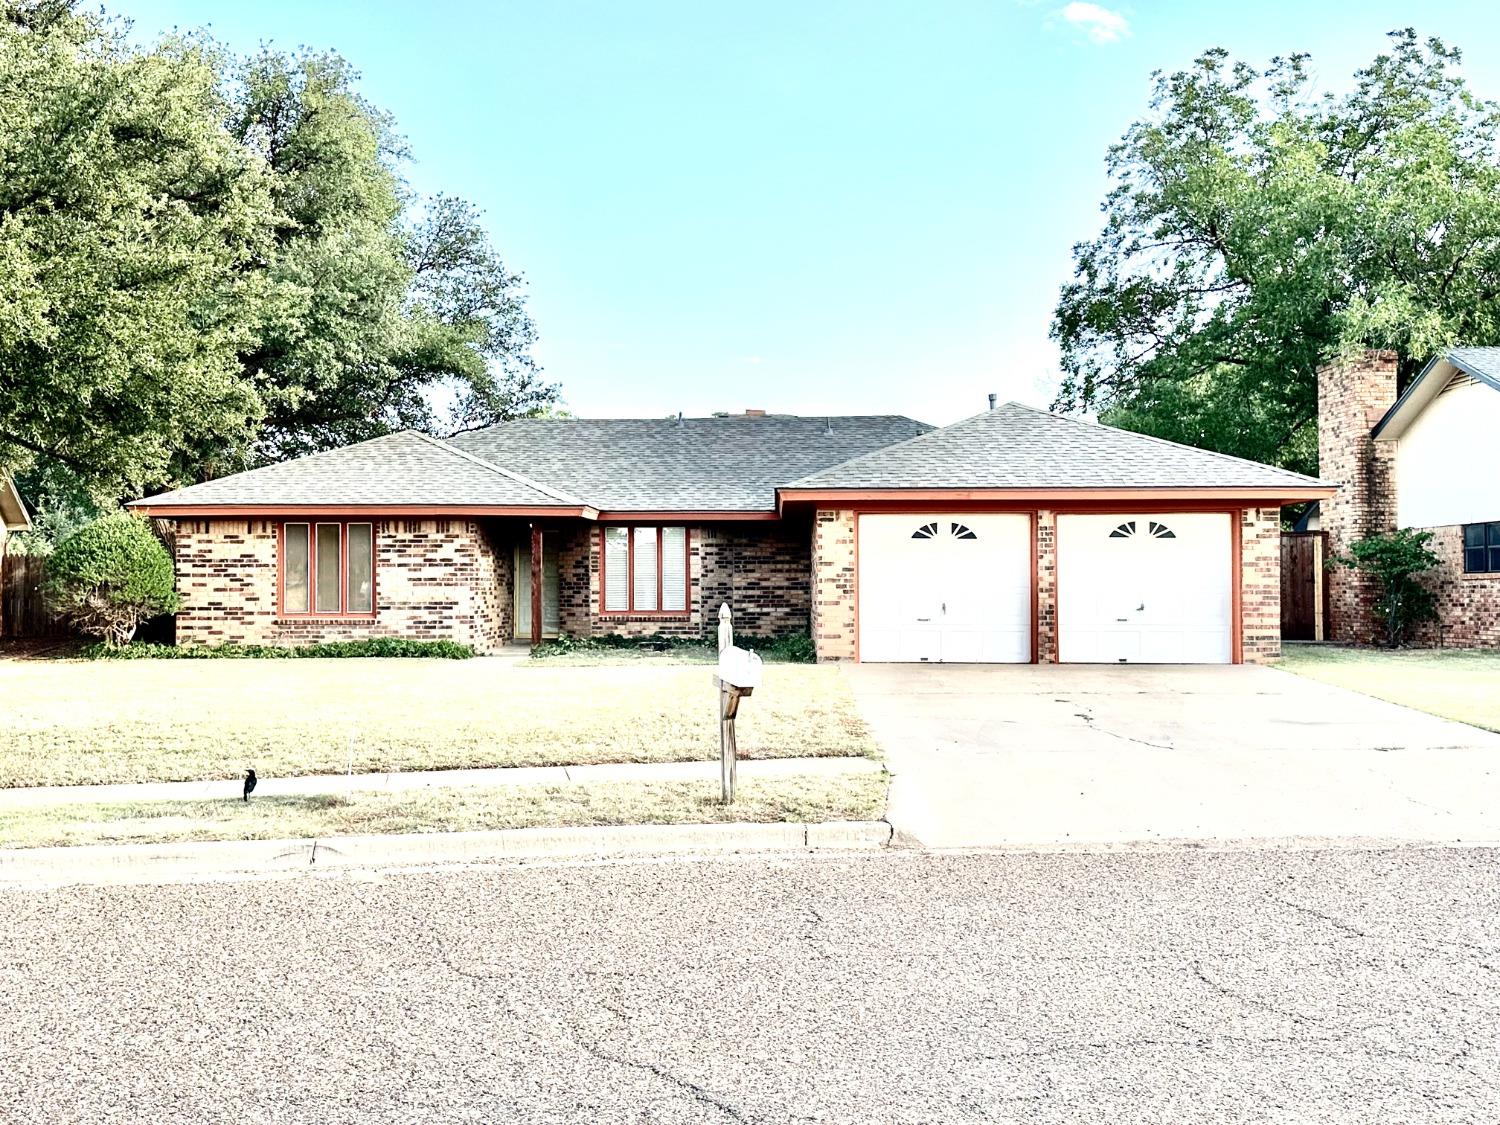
761	569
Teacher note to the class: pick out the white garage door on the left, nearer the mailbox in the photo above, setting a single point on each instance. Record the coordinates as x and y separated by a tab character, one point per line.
946	589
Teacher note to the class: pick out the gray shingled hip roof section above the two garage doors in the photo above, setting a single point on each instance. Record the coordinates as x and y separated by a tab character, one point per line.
1019	448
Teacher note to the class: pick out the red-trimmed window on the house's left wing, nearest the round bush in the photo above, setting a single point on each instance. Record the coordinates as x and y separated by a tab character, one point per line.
328	569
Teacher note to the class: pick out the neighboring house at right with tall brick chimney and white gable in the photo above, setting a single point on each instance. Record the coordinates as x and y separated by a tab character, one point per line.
1426	460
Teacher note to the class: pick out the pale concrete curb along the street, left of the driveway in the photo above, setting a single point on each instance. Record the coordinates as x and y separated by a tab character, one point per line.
35	868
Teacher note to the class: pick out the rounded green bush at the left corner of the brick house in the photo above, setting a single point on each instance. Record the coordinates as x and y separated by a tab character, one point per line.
112	575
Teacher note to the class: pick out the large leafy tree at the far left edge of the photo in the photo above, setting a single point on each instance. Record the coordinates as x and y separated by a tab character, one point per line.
130	229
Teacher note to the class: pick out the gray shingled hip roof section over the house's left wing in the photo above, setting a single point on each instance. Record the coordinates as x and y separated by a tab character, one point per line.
398	469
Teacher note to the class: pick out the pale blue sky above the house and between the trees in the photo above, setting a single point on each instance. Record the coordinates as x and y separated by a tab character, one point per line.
793	205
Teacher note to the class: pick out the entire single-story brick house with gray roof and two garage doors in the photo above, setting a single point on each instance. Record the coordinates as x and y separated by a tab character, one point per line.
1013	536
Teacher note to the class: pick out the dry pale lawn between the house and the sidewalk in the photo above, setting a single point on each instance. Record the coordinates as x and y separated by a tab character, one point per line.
68	722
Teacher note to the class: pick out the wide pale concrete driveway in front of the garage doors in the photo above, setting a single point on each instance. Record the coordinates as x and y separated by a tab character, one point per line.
1054	755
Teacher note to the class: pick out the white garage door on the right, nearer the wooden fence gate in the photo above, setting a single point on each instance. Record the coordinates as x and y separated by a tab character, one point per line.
1144	590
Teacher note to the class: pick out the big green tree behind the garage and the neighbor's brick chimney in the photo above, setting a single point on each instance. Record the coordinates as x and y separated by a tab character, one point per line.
1256	230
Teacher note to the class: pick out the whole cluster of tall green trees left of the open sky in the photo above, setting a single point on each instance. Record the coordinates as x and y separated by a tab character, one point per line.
211	262
